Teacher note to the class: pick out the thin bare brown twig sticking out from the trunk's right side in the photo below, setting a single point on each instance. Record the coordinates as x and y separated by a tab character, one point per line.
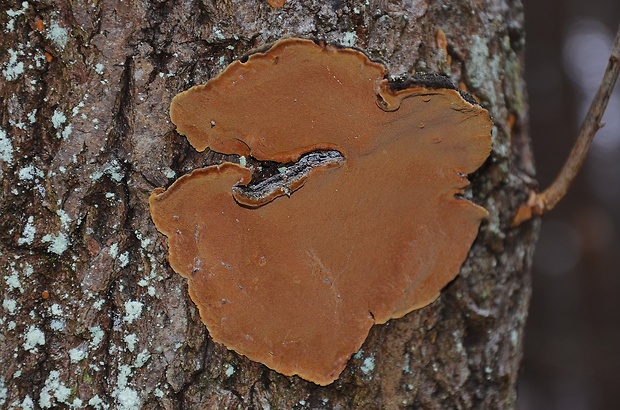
541	203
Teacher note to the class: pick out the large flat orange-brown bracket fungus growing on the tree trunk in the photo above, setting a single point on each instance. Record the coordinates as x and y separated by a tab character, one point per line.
368	224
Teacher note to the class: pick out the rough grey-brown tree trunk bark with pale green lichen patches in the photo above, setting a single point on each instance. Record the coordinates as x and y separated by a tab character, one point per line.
92	316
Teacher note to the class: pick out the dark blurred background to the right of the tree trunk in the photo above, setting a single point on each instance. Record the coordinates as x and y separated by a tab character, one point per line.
572	339
